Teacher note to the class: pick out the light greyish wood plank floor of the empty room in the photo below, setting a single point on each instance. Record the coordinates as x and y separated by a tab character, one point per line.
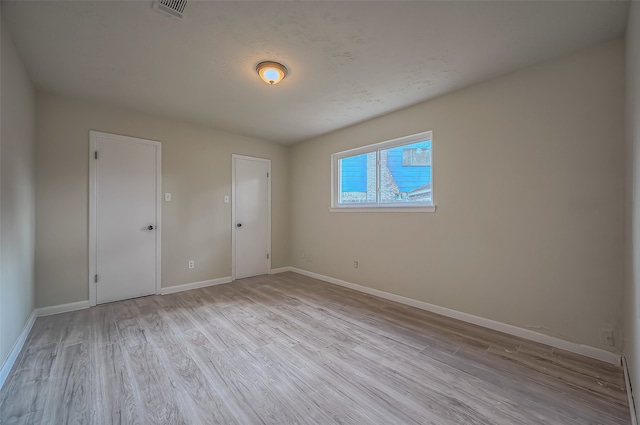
287	349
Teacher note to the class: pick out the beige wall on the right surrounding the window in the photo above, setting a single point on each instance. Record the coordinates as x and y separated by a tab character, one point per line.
528	183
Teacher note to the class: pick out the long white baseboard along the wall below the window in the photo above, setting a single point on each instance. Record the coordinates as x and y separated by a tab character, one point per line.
585	350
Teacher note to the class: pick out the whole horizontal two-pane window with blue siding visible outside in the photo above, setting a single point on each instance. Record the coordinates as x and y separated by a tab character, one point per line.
395	175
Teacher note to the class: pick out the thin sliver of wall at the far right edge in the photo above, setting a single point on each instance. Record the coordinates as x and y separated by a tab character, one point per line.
632	278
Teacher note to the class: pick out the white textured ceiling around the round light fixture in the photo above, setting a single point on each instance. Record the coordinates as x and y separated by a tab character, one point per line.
349	61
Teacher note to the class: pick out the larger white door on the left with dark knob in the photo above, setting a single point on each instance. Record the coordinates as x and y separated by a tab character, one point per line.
125	175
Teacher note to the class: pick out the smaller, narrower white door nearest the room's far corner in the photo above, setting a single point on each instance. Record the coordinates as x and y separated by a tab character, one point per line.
251	216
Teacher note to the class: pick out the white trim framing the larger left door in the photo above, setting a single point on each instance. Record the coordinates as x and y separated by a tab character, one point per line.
93	138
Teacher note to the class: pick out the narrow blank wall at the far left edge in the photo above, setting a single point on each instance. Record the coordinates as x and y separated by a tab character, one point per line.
17	212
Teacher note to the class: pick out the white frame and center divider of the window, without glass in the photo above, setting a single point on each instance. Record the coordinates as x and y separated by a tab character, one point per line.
377	207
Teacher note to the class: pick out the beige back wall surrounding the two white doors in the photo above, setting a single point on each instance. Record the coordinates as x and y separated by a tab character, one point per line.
196	169
